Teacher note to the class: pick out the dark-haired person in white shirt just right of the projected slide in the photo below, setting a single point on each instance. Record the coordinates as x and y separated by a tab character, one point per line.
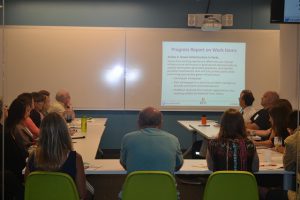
246	100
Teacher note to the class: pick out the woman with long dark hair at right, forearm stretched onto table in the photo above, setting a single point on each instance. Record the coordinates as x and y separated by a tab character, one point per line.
278	118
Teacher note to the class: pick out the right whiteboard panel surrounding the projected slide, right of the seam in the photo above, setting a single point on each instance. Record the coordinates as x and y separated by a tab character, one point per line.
144	55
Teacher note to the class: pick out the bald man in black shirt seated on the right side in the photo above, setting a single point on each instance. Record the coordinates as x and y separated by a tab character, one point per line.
260	120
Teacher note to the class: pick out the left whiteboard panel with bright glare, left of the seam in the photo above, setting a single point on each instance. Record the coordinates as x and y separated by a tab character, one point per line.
80	60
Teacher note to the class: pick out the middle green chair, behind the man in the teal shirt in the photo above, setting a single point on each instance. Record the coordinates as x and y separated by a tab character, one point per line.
149	185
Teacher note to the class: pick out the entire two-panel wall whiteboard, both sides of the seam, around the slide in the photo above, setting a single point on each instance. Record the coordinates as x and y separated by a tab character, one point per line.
120	68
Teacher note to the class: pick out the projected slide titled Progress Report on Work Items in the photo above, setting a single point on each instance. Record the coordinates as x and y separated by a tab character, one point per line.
202	73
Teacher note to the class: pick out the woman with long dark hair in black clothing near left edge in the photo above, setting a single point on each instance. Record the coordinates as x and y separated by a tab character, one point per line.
17	140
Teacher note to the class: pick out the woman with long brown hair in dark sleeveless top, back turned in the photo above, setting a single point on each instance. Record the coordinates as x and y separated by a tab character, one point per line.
55	152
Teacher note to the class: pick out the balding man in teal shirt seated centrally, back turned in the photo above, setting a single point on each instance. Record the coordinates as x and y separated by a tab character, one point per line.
150	148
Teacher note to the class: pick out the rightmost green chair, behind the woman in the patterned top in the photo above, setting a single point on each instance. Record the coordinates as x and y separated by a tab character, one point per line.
231	185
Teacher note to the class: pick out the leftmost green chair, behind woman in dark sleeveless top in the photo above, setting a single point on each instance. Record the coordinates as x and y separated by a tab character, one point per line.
50	186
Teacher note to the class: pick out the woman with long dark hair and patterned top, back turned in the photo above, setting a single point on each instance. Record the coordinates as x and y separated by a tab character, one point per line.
232	150
